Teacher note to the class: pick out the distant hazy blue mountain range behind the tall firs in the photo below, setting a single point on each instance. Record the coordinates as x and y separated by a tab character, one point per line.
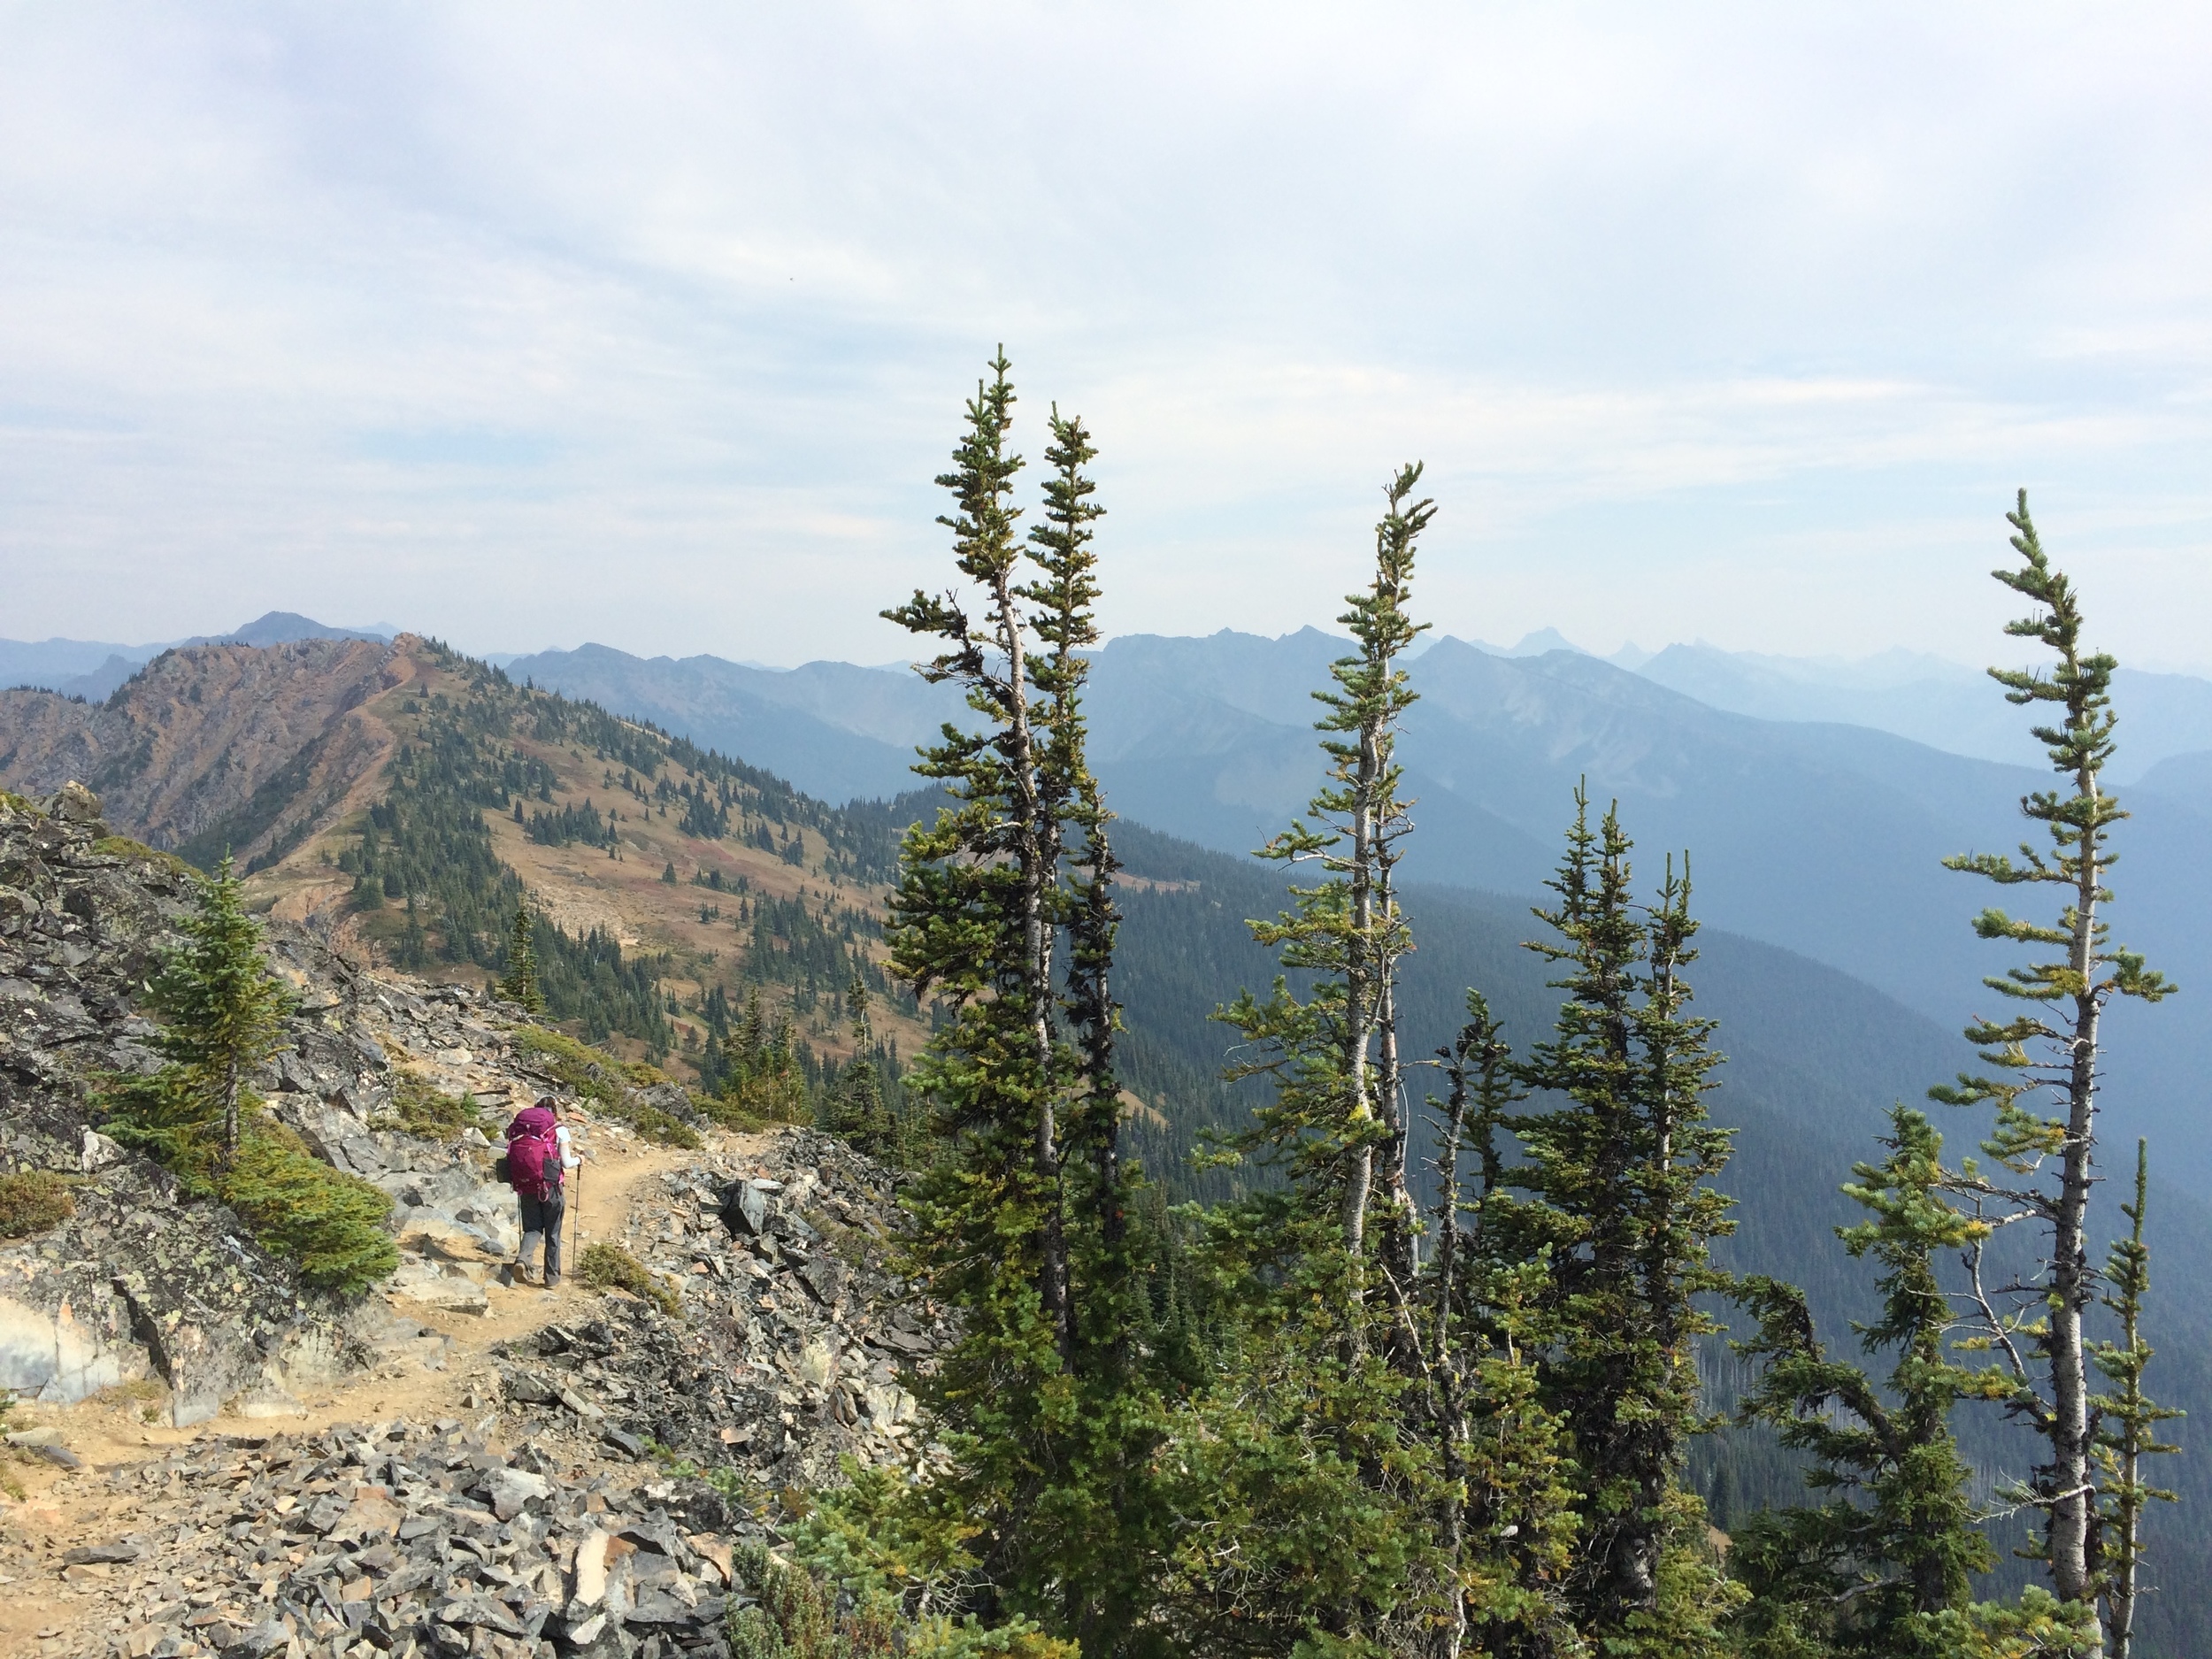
1824	839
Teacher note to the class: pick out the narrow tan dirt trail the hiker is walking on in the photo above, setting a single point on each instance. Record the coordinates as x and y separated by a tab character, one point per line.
61	1510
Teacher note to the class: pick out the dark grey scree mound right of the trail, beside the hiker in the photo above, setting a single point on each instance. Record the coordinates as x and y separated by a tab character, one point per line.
795	1337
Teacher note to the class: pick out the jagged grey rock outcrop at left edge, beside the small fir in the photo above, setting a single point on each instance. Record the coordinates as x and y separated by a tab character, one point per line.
134	1284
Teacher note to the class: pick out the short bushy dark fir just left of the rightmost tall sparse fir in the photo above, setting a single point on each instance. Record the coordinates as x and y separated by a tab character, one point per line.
1884	1565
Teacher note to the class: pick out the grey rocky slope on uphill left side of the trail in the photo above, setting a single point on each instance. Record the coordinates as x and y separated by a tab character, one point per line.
138	1286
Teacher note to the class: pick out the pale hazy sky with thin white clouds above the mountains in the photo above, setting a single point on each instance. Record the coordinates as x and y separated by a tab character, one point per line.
649	324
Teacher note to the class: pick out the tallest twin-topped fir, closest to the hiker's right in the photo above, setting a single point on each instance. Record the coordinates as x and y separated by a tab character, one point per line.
1008	1229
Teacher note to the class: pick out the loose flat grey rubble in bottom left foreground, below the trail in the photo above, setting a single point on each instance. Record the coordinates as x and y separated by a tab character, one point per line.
404	1541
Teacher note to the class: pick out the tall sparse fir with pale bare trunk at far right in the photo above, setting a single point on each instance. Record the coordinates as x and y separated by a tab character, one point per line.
2045	1162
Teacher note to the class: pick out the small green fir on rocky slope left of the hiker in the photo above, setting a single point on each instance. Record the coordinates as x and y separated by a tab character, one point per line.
222	1010
